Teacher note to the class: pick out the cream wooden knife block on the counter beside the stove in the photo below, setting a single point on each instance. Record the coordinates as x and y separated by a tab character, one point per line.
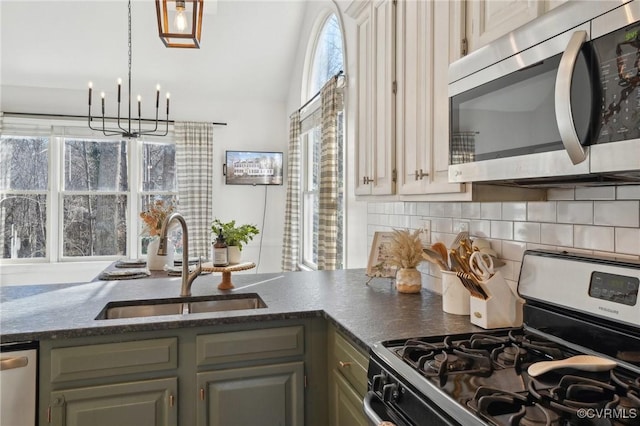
503	308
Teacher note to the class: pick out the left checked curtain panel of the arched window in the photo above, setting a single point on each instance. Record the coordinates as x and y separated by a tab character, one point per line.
291	240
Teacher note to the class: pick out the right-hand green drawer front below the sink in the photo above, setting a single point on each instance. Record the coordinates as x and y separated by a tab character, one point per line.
249	345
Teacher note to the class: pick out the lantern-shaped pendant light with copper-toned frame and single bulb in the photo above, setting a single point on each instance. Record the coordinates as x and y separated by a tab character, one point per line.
180	22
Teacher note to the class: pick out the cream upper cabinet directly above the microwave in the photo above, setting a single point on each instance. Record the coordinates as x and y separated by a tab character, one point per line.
489	19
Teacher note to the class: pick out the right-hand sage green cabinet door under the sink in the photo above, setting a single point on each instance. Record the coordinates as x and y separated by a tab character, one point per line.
261	395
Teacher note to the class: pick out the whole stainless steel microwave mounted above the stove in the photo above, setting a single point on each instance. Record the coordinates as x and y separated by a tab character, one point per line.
543	107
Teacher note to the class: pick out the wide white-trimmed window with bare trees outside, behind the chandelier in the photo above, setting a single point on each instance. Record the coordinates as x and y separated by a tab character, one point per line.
65	197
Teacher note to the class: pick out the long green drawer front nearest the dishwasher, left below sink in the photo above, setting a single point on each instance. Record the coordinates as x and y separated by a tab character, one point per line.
112	359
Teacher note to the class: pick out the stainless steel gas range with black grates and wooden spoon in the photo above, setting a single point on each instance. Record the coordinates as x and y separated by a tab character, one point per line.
576	306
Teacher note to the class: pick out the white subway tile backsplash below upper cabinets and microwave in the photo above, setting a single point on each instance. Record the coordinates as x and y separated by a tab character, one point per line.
600	220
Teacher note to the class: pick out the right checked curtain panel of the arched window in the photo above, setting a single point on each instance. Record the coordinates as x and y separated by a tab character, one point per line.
328	186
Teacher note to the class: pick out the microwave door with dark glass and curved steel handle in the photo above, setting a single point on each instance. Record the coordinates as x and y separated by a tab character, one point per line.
527	116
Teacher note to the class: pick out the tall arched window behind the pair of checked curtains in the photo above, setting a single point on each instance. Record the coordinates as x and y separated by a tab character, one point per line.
326	60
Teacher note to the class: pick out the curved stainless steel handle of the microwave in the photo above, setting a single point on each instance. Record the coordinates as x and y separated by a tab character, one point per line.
564	116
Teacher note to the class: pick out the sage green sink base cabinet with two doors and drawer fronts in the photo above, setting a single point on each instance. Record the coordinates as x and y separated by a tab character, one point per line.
255	373
